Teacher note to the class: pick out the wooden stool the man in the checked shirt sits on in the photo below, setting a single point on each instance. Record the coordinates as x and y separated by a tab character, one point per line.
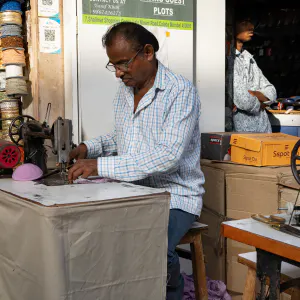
193	237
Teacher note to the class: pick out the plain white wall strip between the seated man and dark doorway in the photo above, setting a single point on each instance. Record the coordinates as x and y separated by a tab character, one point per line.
210	63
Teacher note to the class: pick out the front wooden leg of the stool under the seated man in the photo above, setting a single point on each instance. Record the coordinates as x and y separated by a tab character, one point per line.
199	269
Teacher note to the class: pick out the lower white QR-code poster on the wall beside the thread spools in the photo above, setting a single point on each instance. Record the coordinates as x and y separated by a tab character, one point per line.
49	33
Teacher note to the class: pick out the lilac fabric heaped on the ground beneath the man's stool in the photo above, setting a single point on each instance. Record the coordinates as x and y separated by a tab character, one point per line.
216	289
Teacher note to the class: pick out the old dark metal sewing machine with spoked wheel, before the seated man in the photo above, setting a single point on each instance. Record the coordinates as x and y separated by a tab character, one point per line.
27	132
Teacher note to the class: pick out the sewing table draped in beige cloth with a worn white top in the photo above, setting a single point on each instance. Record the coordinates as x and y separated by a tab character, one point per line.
82	241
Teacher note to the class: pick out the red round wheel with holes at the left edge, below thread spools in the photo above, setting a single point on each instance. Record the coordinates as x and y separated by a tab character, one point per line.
10	155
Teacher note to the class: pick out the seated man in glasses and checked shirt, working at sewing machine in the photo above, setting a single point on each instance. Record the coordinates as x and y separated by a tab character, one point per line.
156	136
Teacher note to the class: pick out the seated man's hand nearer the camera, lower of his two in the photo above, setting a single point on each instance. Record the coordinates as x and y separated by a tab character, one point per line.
83	168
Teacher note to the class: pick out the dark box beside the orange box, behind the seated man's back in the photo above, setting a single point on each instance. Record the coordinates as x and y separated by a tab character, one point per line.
215	145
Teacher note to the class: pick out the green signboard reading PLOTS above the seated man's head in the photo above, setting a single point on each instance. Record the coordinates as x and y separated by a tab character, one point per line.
173	14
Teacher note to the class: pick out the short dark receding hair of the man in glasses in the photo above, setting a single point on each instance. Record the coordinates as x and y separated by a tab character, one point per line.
131	32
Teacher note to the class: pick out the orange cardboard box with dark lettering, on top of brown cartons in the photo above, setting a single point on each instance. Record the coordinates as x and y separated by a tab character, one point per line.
262	149
